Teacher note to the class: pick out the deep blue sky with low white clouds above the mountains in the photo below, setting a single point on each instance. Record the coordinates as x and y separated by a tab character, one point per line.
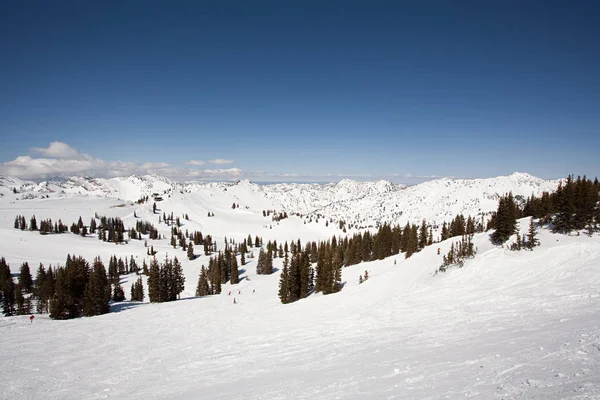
300	90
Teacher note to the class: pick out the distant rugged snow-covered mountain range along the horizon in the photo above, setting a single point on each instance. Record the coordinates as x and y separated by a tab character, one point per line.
359	204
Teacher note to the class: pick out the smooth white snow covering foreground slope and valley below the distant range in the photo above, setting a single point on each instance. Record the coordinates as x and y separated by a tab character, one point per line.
507	325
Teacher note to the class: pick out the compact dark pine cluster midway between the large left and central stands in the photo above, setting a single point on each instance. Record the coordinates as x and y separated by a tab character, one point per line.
165	280
